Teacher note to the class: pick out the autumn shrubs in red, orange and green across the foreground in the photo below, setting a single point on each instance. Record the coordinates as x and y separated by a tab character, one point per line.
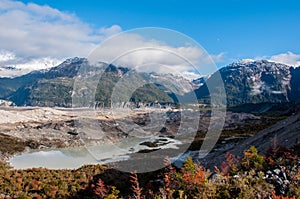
276	174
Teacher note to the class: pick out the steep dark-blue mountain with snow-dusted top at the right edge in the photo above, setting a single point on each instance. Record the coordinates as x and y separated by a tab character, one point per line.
256	82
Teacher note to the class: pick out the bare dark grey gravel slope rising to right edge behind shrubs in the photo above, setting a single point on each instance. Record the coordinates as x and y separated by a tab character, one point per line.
284	133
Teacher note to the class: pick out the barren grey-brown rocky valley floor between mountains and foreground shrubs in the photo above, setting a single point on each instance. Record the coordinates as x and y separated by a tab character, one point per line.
27	128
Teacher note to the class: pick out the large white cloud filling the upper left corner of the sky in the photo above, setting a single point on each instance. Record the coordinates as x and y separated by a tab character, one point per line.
30	32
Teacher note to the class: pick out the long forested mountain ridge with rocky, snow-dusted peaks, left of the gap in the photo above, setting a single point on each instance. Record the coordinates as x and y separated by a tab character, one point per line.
54	87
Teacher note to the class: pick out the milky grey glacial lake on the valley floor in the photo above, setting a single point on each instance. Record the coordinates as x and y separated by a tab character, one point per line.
71	158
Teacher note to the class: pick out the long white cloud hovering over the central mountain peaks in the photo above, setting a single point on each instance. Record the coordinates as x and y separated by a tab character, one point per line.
135	51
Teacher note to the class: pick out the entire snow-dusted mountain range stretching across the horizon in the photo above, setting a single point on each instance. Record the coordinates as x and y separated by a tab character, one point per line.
244	82
